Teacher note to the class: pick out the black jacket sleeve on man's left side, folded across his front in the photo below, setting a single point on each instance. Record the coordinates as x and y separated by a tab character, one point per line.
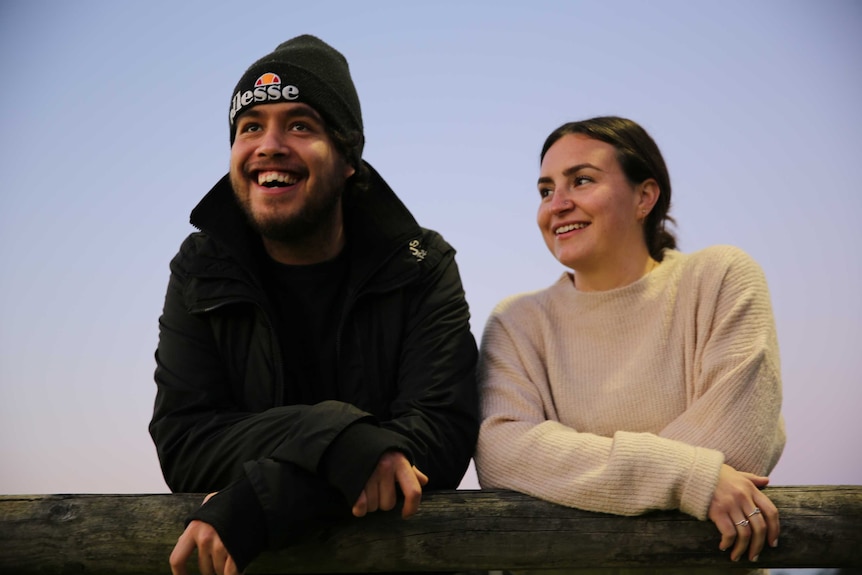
202	435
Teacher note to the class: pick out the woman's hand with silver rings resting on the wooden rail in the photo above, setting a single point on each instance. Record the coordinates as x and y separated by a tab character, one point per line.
745	516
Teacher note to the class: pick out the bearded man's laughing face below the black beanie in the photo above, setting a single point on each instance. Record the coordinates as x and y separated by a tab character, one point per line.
287	175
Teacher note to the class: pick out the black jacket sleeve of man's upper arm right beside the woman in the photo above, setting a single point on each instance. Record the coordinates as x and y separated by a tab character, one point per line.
436	407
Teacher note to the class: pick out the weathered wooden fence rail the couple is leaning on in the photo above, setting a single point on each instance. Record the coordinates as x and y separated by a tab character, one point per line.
456	531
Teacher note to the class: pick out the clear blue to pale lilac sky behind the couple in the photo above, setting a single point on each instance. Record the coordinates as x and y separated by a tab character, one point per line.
114	125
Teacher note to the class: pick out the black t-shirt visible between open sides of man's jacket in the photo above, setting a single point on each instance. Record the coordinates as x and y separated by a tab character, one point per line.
308	301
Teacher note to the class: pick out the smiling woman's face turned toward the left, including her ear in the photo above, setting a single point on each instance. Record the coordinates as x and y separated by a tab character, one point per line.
590	215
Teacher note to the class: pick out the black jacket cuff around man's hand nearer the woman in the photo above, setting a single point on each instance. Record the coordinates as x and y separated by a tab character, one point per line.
353	455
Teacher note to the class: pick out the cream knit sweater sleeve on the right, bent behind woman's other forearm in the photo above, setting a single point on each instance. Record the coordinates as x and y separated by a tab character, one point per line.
735	394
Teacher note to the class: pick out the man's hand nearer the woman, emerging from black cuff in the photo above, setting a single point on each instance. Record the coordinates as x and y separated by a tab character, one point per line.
379	493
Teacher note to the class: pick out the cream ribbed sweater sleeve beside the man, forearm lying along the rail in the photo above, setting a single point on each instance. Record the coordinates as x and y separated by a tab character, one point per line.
521	449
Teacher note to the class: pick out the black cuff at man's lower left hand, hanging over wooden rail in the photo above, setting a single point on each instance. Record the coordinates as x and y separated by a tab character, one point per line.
237	516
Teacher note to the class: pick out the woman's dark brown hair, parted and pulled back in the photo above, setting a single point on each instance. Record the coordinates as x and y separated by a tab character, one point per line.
640	159
